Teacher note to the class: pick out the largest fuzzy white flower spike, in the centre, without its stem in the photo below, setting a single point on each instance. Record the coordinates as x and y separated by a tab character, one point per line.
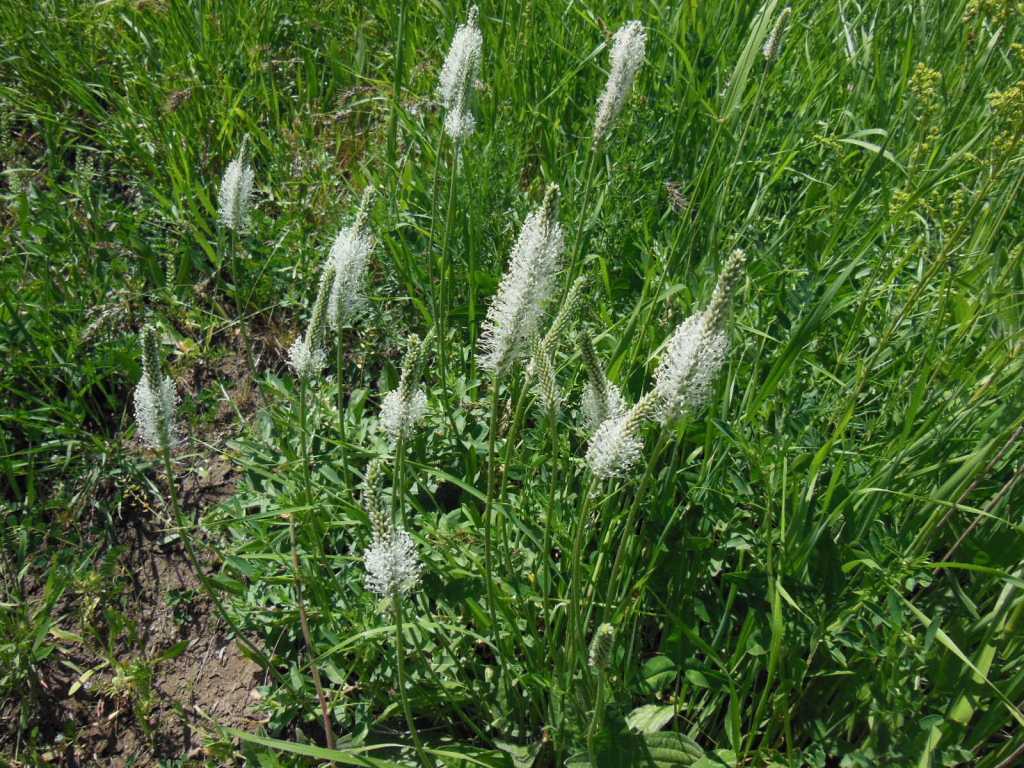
516	313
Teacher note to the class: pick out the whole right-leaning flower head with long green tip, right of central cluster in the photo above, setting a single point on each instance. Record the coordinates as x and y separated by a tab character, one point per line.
698	349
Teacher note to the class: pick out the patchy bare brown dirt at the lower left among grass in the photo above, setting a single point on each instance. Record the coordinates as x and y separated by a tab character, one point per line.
209	682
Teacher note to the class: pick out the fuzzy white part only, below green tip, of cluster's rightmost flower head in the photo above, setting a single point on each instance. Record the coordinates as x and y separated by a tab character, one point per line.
693	359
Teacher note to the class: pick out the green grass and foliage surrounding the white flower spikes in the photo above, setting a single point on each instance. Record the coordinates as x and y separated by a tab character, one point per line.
796	610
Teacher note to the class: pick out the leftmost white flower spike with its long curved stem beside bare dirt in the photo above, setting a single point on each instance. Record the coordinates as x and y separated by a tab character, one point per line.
154	411
